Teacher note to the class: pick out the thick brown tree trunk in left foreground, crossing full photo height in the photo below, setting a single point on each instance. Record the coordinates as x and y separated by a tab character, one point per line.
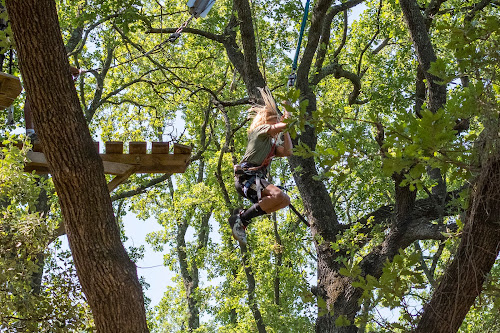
108	277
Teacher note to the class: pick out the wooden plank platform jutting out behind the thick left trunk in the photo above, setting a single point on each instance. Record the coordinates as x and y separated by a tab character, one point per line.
122	165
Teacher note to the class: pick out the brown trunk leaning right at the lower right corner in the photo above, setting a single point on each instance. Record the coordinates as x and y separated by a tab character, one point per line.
463	280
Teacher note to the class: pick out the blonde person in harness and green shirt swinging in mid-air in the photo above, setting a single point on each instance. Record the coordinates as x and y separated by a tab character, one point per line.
265	140
